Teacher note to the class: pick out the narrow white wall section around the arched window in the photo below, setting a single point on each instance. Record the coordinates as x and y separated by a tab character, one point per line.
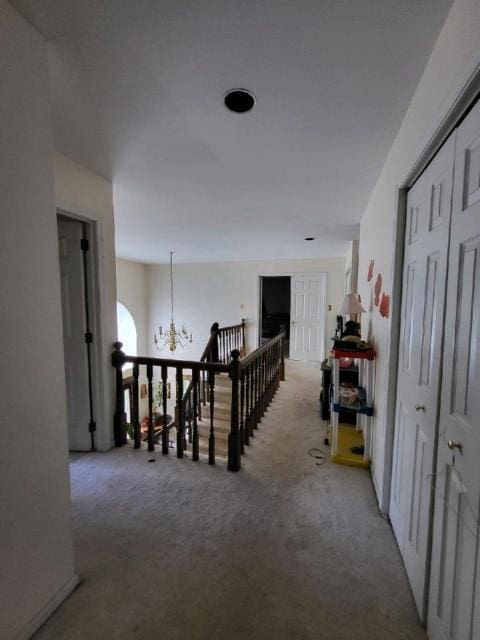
132	292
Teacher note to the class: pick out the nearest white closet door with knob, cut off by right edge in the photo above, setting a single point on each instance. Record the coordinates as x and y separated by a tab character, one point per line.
454	611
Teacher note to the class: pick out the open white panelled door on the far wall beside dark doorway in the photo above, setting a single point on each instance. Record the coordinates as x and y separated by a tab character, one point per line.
307	316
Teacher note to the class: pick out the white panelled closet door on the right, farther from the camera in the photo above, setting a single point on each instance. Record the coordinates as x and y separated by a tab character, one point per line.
424	280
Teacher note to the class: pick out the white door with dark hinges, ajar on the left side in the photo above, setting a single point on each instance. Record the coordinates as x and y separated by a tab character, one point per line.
70	234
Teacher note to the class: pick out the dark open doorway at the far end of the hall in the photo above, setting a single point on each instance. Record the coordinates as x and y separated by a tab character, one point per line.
275	307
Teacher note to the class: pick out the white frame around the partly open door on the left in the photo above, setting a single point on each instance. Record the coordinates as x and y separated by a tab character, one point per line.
93	279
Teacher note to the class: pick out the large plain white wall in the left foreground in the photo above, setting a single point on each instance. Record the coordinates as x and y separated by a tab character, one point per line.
35	537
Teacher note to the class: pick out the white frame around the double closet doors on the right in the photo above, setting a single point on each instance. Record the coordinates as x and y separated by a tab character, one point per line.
455	108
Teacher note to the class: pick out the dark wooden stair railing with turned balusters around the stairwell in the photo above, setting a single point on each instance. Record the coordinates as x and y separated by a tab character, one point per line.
254	381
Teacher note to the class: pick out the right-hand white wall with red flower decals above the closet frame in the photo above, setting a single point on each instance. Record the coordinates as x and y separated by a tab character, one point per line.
457	50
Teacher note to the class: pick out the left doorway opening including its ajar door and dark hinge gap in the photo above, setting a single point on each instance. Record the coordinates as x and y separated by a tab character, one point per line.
76	284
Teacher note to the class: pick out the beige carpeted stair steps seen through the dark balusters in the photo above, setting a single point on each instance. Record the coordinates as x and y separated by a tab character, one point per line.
221	418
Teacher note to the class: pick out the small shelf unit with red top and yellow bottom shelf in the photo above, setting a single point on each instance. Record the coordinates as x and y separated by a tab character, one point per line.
342	437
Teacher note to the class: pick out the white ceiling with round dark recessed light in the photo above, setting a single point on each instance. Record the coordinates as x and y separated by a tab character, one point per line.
137	95
